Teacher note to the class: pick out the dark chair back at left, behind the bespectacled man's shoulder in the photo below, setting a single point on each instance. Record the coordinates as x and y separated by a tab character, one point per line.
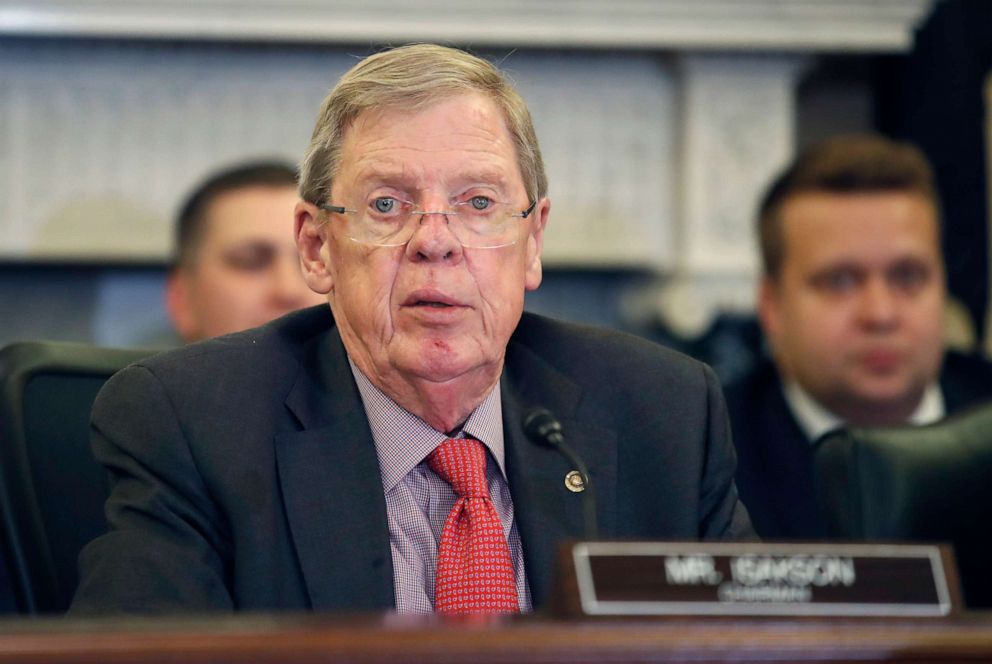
51	489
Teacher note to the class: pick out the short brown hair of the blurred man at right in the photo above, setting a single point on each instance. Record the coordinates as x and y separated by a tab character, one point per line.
842	165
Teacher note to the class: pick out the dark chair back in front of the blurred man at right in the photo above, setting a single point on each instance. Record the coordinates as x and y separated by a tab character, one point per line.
929	483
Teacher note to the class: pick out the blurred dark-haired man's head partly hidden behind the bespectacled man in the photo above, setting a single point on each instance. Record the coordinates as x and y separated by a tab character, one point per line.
236	263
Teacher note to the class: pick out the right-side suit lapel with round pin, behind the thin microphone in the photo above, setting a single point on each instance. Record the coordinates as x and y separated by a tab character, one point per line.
546	512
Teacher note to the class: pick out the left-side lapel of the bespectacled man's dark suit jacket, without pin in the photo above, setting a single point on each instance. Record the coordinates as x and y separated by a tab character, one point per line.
331	483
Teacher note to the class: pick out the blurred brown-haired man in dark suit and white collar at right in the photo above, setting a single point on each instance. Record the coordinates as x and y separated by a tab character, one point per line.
852	304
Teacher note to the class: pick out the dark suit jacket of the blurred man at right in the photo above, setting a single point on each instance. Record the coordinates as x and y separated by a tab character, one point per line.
775	459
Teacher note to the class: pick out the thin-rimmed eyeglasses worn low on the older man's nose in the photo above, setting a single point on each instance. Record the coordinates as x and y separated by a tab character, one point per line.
478	222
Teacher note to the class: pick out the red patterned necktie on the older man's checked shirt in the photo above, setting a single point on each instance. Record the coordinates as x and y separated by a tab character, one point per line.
474	570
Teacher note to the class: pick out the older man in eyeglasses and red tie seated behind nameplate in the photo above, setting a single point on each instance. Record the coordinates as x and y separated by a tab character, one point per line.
371	454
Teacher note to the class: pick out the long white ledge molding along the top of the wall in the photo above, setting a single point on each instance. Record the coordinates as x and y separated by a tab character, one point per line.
801	25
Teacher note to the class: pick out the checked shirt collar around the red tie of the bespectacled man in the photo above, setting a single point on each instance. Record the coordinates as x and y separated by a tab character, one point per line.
403	440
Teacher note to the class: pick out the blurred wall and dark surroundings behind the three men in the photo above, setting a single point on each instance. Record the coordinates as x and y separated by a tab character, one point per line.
661	121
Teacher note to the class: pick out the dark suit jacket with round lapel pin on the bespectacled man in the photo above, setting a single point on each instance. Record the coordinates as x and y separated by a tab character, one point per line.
245	475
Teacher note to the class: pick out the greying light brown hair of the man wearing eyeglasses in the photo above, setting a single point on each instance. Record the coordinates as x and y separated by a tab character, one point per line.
414	77
